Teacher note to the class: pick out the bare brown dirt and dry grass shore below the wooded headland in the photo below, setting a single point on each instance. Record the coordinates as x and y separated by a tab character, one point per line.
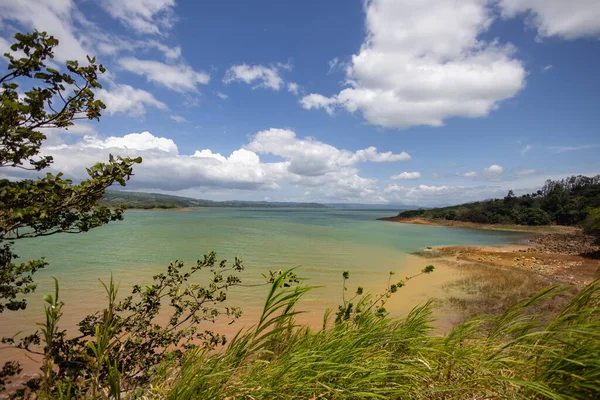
494	277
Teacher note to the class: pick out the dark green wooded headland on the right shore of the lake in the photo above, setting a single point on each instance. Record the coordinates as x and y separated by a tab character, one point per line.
565	202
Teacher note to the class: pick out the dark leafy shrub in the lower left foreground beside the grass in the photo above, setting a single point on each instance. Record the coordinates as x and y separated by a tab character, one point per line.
121	345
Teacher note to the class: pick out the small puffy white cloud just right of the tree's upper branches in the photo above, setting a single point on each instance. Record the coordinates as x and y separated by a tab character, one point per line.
128	100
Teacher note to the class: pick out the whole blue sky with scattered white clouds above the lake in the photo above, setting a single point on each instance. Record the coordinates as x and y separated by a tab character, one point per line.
424	103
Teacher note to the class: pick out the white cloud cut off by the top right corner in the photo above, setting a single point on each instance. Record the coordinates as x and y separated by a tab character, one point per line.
568	19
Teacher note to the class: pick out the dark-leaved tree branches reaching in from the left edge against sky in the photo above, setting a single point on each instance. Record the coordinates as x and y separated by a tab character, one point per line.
33	99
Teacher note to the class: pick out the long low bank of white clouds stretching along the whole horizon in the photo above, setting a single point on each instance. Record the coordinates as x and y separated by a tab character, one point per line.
314	170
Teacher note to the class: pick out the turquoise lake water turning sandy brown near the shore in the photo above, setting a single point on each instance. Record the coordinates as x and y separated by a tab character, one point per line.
324	242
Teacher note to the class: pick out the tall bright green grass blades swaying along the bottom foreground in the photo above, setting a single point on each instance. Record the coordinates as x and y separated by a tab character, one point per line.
513	355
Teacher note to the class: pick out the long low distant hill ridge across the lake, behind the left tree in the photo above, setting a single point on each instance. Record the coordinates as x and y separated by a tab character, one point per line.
140	200
